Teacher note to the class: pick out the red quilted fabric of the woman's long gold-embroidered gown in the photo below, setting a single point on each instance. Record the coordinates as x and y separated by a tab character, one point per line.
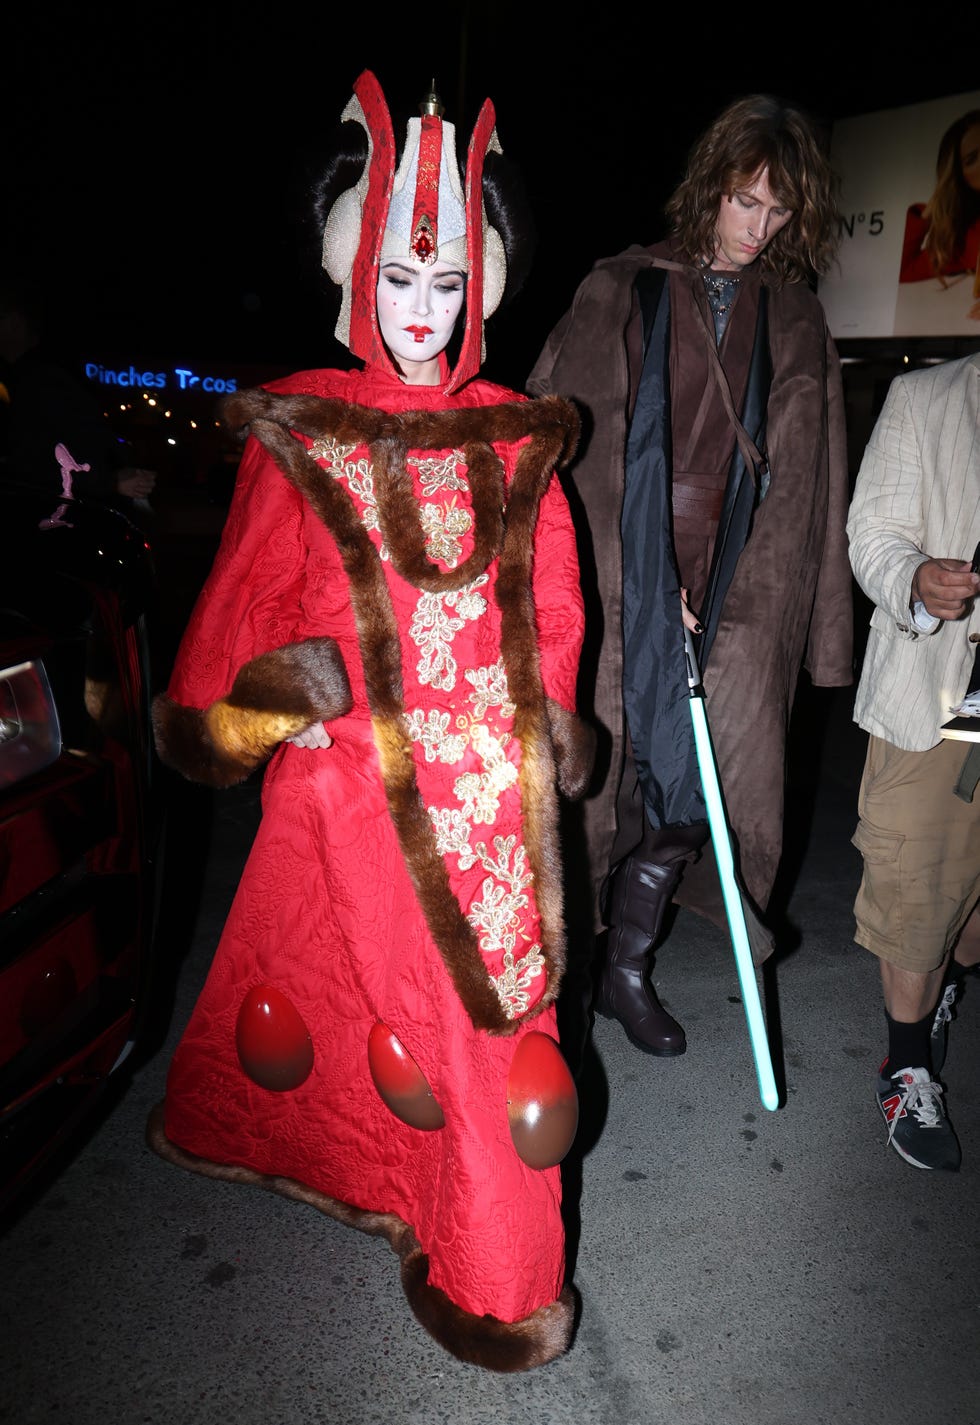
327	913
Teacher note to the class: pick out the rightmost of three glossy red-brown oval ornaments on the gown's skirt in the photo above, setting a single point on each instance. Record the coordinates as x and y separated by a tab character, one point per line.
542	1102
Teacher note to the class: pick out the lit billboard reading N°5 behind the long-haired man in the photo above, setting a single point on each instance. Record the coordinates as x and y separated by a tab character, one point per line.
898	209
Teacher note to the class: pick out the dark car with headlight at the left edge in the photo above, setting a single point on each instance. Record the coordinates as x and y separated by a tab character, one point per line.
80	819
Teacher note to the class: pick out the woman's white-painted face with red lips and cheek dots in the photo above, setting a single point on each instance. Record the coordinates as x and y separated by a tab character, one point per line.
418	309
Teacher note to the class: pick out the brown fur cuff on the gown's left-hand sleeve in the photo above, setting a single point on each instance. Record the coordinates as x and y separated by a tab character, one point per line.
273	698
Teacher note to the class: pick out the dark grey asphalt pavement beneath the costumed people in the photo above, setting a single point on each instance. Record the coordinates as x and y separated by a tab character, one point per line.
736	1266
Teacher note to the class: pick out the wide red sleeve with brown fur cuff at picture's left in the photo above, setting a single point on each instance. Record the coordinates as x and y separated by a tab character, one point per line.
249	672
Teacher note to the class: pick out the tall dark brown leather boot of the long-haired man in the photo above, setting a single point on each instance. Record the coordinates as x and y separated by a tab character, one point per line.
640	896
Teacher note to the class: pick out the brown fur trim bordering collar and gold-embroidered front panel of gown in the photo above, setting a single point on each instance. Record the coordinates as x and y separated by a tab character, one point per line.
505	531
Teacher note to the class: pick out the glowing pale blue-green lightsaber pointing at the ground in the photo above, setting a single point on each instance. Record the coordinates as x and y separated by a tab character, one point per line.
723	843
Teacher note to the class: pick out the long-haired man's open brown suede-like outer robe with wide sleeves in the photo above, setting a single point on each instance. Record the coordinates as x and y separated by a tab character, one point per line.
790	602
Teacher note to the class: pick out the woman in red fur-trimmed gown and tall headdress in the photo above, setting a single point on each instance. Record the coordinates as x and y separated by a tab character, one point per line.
394	619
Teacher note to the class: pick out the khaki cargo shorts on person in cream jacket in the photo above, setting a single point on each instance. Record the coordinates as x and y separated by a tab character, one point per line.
921	846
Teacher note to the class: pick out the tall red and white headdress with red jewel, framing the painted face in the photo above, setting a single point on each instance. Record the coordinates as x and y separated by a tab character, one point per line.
421	212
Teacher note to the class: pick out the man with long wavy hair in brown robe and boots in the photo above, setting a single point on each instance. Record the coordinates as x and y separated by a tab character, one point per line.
713	495
